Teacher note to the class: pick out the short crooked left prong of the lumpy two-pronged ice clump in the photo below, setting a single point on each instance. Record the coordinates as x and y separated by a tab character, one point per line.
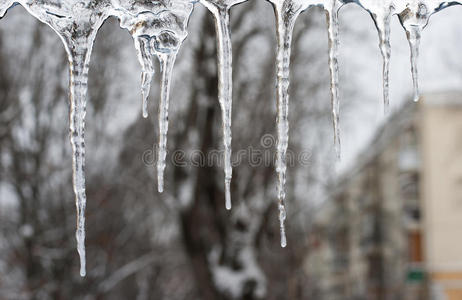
143	50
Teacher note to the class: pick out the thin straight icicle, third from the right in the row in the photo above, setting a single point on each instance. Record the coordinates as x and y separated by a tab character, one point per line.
332	26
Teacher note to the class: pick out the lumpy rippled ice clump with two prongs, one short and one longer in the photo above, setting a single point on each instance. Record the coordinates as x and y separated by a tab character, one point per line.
158	29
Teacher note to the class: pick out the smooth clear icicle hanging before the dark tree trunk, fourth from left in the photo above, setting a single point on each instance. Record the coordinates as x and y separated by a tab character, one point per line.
224	56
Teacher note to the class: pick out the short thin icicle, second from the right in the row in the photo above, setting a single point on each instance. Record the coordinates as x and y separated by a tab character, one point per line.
383	27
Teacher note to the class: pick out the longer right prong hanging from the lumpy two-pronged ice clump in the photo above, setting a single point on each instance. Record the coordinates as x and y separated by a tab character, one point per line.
167	60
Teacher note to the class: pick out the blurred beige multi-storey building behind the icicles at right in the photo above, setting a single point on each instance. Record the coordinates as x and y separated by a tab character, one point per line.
393	226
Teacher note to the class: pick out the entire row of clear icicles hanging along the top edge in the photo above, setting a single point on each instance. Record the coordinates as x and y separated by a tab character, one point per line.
159	28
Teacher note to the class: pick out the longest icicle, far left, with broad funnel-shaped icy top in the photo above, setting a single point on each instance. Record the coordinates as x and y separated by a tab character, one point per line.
77	25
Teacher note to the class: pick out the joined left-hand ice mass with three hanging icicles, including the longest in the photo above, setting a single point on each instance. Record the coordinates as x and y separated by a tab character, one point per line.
158	29
